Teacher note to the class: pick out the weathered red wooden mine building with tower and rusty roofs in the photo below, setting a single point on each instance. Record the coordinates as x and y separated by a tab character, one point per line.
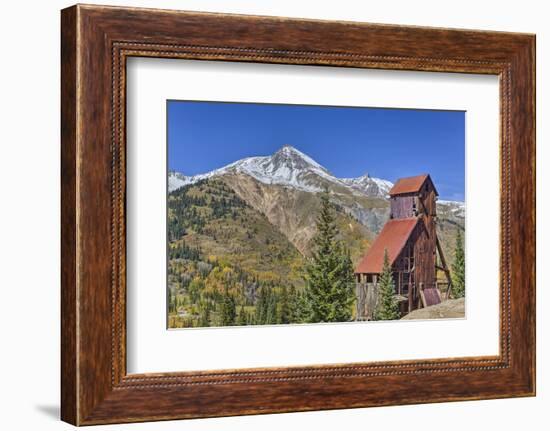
410	238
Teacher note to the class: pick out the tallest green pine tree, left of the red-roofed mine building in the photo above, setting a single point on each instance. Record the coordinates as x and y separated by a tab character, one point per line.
329	273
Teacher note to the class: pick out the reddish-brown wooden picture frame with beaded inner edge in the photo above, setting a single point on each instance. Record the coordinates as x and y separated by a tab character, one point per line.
96	41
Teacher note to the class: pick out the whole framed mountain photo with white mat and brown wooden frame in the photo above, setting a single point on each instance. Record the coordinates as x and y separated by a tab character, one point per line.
321	214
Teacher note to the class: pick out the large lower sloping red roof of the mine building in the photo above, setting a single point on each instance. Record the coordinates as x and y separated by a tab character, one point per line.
393	237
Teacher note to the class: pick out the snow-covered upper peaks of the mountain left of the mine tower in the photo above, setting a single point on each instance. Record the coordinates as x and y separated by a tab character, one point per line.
291	168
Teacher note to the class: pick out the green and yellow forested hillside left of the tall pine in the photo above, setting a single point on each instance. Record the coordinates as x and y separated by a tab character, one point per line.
225	260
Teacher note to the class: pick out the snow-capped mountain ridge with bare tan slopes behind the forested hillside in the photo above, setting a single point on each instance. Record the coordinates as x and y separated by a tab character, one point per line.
284	185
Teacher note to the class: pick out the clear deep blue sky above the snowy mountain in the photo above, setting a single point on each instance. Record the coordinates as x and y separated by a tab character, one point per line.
349	142
